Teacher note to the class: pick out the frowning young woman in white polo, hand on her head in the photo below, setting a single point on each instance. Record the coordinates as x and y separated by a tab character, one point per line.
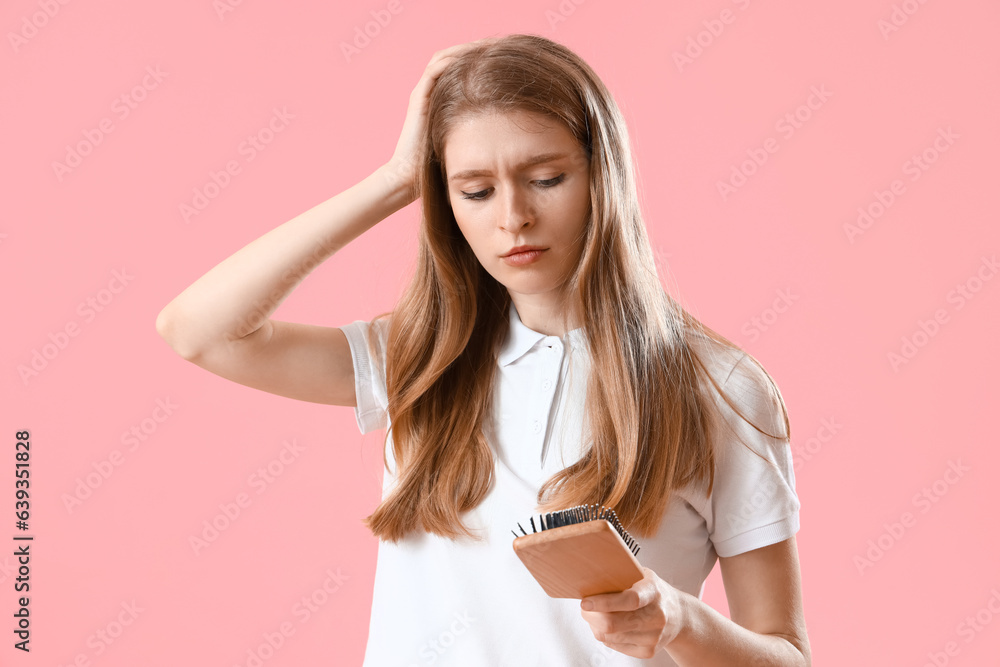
534	364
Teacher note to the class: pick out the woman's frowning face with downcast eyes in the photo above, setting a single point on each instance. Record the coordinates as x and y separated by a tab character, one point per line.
520	179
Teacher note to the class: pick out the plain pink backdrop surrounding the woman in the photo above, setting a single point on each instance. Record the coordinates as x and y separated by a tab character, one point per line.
890	576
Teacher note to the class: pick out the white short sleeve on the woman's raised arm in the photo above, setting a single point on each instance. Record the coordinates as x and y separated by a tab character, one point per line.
369	374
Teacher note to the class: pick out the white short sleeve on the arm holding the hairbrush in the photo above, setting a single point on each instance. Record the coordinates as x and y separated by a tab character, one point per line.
753	502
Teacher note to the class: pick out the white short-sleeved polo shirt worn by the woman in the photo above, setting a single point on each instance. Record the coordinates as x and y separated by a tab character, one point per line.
474	604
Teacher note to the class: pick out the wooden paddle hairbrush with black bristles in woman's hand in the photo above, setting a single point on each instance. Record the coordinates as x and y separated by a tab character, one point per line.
579	551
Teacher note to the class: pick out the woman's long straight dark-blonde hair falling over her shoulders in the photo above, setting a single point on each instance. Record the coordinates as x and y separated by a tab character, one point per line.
651	418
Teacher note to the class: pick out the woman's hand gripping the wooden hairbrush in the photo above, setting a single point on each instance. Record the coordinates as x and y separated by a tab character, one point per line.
639	621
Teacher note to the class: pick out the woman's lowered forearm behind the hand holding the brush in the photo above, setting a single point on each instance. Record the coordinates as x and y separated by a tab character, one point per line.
709	639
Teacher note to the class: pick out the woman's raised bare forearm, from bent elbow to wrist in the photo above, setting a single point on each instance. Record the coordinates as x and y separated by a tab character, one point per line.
236	297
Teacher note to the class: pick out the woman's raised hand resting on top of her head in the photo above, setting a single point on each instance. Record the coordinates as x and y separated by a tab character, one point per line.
407	160
